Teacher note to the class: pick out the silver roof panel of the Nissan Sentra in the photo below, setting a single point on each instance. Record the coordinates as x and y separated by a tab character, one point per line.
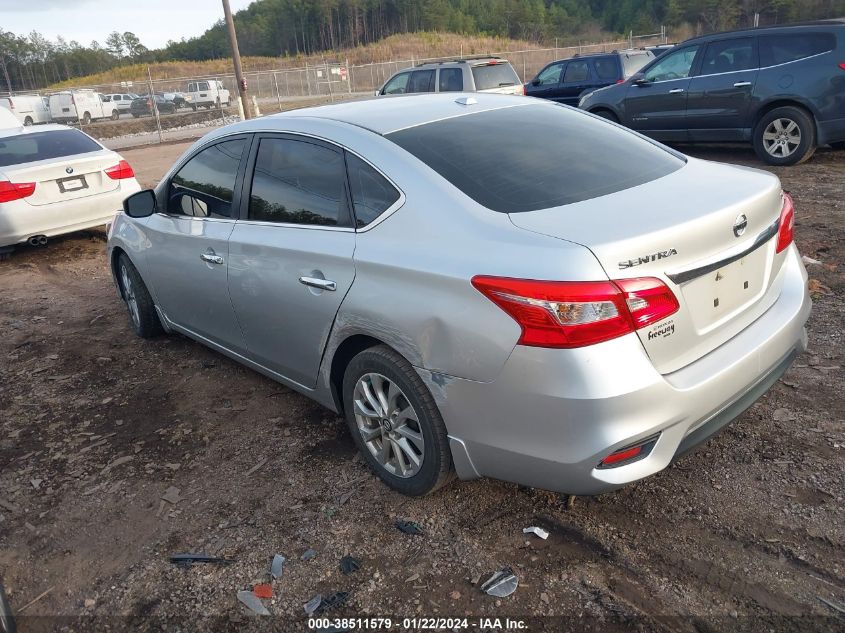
384	115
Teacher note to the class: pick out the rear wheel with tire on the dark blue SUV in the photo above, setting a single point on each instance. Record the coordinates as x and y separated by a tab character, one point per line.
785	136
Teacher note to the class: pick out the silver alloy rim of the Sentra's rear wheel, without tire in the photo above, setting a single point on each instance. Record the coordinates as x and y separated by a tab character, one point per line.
388	425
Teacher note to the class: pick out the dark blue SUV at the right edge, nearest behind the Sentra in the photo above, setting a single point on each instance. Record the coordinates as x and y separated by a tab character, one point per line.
781	88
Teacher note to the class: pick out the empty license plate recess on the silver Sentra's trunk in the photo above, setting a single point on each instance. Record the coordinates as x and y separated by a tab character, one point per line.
718	294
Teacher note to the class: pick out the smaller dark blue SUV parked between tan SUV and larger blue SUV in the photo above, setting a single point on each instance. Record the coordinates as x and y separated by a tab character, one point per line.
566	80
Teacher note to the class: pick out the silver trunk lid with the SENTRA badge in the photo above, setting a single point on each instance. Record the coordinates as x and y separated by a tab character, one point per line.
680	229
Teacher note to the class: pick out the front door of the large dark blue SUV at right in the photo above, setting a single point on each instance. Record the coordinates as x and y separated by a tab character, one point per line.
656	105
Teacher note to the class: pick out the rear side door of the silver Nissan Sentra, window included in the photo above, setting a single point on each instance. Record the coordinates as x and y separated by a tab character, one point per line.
291	254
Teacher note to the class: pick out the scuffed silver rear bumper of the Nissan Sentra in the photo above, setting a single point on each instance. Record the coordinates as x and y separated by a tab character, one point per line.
553	415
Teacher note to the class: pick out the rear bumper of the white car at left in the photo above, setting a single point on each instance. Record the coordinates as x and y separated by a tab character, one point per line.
19	220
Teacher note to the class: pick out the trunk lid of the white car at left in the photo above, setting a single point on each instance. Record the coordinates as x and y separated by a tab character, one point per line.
87	177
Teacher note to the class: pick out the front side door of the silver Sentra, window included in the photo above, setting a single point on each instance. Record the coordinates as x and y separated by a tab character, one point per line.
188	259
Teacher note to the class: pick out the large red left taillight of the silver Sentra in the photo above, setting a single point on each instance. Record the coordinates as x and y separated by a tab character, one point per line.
565	314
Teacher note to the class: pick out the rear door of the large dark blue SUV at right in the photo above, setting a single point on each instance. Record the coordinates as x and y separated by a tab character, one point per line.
720	94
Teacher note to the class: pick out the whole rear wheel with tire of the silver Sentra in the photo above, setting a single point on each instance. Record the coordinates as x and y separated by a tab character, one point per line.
381	370
